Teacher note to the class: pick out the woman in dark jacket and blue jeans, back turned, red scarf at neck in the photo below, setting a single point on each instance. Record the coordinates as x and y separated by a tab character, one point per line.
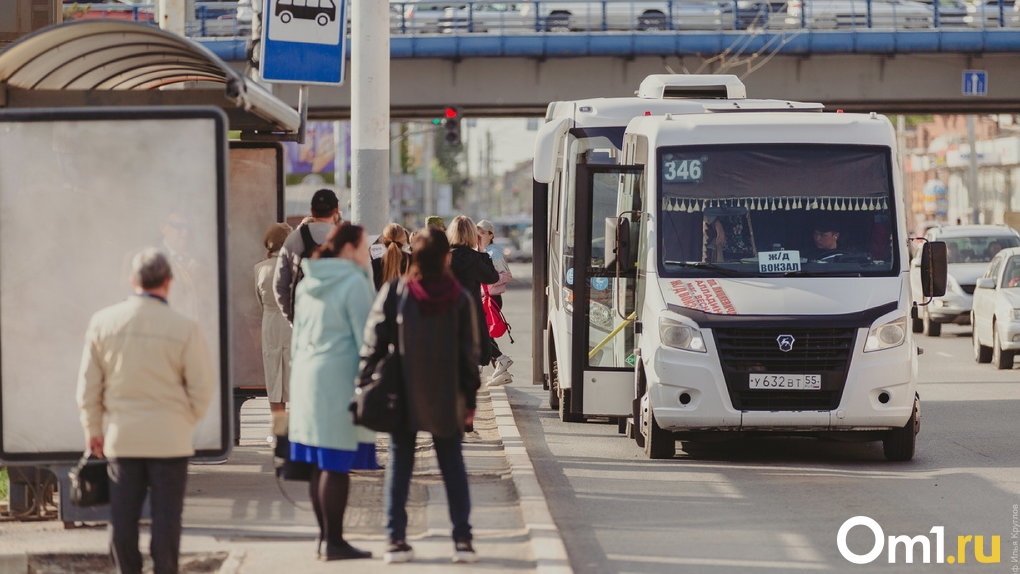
439	349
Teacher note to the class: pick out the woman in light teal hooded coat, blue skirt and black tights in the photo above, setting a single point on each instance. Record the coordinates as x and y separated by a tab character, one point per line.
332	306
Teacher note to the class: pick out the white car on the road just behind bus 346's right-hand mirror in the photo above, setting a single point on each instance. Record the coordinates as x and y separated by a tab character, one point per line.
971	250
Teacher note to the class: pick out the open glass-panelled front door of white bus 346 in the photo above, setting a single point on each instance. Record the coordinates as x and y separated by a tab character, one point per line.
603	301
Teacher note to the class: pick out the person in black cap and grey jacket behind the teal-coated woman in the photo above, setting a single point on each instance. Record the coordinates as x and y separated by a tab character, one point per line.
300	245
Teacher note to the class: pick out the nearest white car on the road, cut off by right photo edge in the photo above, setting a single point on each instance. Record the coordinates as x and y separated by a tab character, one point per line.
997	311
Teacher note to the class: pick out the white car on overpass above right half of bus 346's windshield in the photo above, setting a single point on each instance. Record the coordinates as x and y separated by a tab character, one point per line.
854	14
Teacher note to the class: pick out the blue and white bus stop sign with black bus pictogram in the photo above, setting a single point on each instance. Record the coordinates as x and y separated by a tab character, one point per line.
303	41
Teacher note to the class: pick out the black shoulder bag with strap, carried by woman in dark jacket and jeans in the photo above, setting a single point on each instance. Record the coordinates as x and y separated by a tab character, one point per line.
379	402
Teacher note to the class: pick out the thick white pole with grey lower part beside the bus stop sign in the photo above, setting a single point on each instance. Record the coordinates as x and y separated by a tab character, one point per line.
371	115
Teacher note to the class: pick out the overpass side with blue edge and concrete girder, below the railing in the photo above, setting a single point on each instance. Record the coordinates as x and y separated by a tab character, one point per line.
890	72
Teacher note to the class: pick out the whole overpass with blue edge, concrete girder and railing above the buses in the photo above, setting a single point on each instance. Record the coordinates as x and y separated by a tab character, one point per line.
514	67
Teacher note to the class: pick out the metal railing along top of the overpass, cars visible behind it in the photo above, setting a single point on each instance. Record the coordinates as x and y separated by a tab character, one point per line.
613	17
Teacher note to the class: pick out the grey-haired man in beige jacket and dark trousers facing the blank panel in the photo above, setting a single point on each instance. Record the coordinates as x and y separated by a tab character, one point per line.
145	383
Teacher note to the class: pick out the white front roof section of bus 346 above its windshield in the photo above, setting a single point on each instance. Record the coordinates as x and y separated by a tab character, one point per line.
766	128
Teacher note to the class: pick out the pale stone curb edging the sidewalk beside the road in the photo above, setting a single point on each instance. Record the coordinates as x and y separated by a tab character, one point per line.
547	546
